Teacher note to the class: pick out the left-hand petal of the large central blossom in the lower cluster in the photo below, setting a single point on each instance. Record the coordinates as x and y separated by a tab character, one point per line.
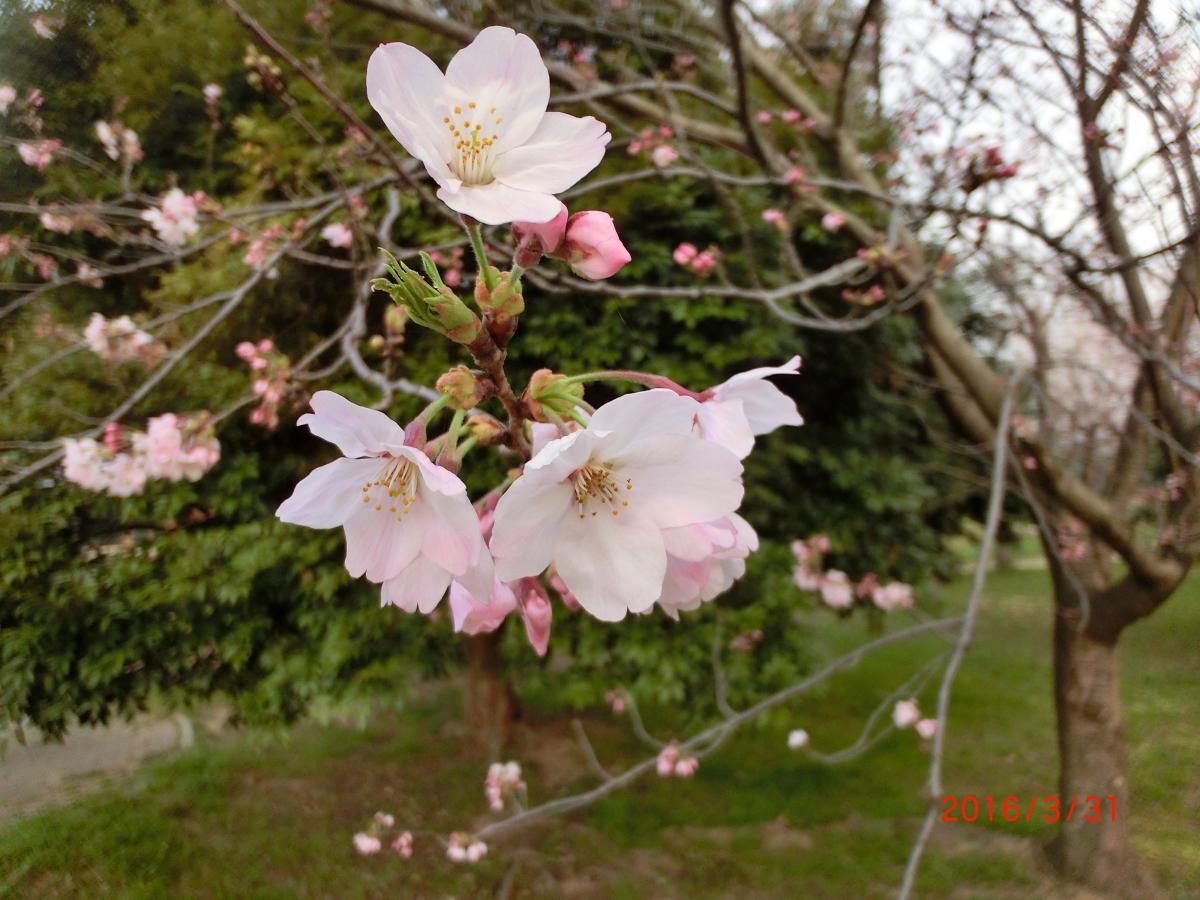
527	524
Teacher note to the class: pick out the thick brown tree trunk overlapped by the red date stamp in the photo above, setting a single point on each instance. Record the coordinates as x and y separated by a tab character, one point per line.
1093	767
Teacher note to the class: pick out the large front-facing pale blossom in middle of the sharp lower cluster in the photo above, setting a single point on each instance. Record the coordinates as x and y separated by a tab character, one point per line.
597	502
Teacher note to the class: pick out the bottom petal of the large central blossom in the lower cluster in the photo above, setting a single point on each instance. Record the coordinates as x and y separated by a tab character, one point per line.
613	565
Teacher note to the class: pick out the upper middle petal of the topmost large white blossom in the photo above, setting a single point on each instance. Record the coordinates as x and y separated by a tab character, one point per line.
505	70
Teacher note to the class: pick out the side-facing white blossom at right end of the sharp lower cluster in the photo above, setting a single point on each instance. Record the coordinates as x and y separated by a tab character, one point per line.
739	410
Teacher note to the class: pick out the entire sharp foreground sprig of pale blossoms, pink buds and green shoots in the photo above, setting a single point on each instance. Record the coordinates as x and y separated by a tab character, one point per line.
619	509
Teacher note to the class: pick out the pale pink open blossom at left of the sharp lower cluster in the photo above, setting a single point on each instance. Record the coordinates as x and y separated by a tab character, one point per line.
409	524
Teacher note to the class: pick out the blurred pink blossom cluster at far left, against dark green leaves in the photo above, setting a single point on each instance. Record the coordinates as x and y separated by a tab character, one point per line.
172	448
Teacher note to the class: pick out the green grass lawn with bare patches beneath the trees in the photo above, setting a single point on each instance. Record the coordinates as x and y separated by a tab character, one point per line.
245	818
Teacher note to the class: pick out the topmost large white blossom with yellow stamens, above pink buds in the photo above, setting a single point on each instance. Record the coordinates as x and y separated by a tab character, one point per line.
482	130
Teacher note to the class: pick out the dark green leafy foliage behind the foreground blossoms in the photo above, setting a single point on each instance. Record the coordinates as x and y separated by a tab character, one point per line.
194	591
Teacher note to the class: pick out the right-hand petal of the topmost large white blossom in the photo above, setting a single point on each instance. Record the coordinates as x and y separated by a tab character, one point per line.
559	154
